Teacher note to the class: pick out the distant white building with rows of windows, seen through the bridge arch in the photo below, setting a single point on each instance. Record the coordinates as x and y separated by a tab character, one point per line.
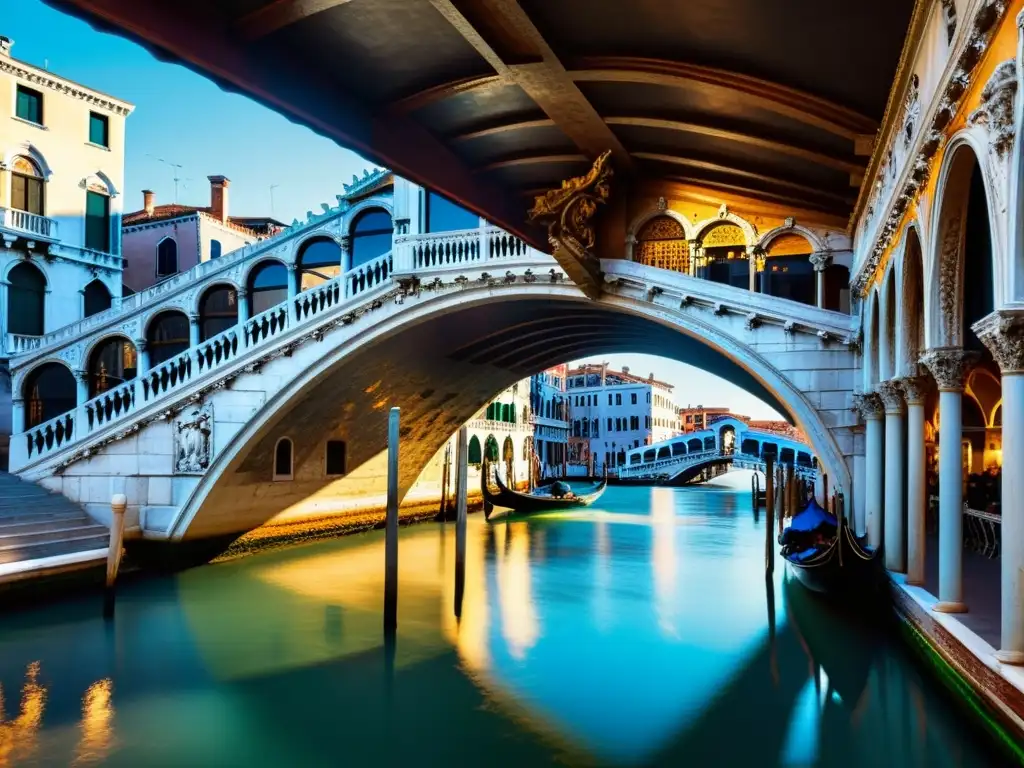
614	412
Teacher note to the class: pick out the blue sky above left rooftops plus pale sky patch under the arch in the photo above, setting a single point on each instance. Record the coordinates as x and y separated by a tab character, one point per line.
183	118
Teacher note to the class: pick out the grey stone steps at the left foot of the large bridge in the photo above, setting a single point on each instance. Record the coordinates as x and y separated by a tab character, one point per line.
44	533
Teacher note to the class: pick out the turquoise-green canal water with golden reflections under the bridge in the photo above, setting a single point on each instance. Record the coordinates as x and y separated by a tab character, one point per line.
639	632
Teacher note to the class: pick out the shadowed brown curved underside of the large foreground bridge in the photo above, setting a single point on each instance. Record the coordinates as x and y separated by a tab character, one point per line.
440	373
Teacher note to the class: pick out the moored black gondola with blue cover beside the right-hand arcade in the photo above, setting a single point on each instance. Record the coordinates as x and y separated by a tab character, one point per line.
840	567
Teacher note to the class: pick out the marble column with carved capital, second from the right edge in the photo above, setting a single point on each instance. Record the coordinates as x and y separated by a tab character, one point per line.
949	367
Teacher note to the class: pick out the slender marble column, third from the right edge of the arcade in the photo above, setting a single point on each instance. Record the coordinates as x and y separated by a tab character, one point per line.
915	390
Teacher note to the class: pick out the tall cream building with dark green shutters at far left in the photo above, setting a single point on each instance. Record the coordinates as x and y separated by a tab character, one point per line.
62	173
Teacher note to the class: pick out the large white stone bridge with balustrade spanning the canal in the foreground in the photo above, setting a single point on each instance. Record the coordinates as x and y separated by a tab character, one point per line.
234	431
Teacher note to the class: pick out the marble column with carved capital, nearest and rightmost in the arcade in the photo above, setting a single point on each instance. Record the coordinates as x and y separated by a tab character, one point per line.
1003	333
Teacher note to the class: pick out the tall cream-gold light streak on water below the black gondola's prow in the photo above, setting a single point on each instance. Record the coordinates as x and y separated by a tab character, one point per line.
520	625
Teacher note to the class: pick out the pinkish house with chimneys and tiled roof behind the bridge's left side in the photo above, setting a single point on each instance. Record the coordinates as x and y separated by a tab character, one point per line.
160	241
